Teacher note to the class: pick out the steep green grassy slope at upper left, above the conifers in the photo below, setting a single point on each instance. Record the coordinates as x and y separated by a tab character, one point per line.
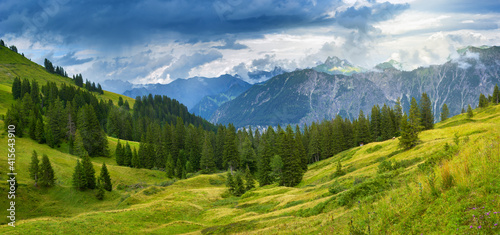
15	65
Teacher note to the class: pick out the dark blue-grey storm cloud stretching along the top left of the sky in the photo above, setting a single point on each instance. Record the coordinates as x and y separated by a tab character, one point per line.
113	23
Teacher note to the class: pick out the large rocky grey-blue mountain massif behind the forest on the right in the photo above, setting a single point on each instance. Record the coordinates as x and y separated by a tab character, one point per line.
307	95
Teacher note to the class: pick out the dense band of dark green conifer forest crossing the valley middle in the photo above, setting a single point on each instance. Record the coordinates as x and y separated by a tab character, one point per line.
179	143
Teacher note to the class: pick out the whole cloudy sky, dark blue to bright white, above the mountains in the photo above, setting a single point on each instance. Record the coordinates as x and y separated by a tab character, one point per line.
158	41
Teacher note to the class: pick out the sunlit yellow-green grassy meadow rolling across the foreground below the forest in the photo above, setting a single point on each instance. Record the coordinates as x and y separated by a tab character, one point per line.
430	189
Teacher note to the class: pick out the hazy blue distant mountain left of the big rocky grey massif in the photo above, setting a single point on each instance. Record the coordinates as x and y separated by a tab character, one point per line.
189	91
